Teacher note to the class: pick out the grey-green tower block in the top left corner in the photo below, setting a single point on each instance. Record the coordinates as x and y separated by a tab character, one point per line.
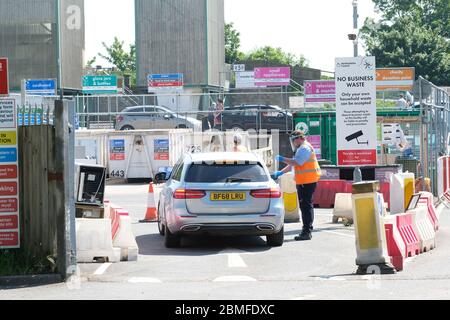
28	37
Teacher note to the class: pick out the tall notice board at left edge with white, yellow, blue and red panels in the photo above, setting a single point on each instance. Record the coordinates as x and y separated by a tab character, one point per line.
9	177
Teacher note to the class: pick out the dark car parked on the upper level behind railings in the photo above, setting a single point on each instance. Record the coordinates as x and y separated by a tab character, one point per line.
257	117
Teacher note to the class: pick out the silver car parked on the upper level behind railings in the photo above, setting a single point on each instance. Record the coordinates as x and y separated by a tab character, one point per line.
154	117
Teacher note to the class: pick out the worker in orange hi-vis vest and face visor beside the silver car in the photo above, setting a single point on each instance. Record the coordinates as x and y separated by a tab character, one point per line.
307	175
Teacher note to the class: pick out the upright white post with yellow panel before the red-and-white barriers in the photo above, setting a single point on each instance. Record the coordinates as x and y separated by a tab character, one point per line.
371	245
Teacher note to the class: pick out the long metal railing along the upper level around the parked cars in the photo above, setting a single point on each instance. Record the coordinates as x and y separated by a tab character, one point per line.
100	112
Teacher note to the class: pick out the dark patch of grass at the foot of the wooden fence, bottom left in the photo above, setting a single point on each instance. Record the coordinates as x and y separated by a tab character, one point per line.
19	263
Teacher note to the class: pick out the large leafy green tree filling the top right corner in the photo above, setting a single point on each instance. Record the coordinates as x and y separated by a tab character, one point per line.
412	34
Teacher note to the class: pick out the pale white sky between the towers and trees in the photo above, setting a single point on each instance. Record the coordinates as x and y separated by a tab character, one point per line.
317	29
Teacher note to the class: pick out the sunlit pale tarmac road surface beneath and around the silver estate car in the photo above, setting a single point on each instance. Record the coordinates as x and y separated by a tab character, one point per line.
244	268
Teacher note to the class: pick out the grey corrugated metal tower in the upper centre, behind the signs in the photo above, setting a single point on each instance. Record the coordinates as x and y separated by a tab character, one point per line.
171	37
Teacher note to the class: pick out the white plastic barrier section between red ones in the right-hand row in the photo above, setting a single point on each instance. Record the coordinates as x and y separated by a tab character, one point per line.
424	228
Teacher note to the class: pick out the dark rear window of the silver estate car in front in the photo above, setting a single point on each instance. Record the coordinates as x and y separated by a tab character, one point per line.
223	173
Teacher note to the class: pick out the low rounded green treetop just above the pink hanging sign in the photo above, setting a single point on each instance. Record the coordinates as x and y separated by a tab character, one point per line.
277	56
